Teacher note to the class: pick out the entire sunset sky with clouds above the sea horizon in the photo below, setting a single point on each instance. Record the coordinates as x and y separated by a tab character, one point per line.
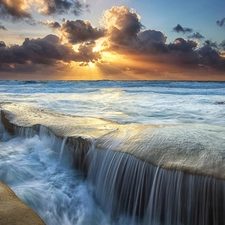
112	40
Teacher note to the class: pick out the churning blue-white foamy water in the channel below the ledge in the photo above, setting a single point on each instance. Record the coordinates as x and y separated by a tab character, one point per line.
55	190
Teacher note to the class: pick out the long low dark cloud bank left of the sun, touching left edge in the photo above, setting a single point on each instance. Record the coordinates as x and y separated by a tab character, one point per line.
46	51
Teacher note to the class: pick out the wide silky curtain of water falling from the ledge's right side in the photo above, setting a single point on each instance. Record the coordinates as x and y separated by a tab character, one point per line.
125	185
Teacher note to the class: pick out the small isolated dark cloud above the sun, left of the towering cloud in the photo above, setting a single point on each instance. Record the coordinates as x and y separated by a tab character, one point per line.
78	31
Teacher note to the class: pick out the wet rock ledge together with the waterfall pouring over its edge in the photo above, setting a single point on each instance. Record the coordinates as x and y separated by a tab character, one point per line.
157	174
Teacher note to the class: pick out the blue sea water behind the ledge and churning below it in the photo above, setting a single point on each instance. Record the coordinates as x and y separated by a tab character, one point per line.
44	178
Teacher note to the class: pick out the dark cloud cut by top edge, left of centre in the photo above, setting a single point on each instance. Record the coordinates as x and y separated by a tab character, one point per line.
63	6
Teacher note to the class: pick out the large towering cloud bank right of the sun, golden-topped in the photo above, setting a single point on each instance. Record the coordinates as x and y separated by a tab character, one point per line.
125	36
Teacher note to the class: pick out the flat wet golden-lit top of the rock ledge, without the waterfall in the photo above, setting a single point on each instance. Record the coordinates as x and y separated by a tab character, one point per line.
193	149
